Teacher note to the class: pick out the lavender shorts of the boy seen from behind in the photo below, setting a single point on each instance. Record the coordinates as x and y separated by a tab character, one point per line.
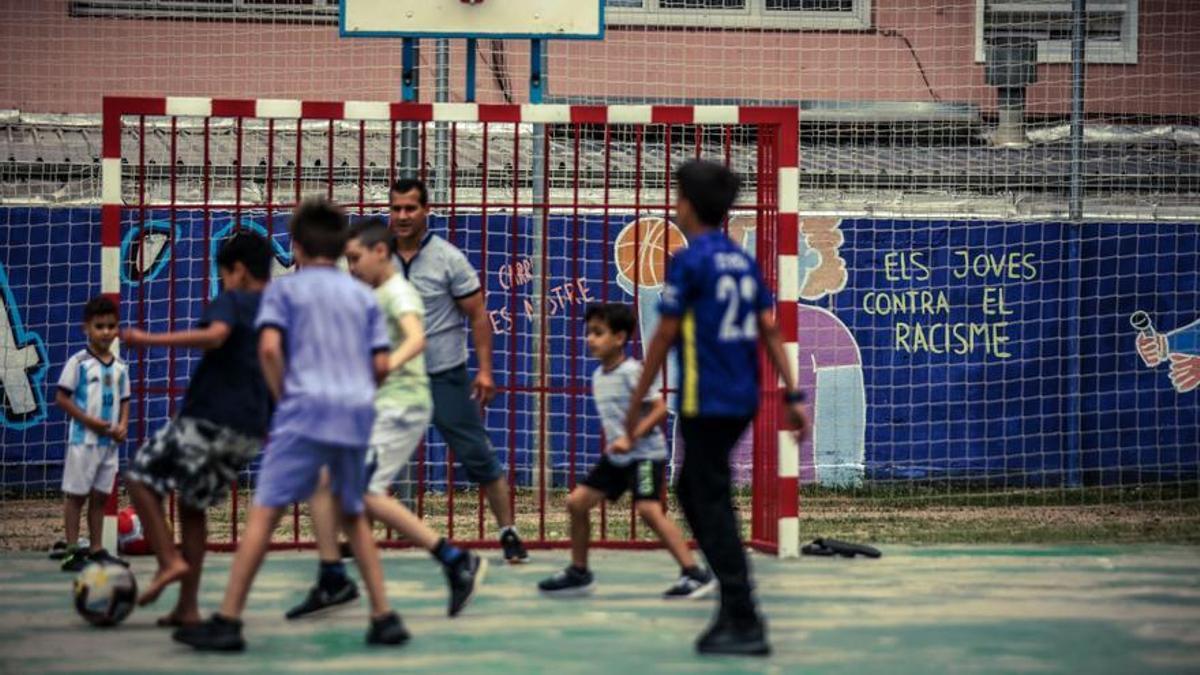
291	473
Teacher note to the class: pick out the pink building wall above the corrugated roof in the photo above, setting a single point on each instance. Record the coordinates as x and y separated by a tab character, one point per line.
55	63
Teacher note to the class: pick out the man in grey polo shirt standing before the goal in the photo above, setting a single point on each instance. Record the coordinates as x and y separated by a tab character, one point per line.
452	291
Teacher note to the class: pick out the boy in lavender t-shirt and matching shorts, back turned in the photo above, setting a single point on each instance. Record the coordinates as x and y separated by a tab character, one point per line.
323	347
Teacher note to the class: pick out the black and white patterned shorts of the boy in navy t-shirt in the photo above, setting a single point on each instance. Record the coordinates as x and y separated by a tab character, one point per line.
196	458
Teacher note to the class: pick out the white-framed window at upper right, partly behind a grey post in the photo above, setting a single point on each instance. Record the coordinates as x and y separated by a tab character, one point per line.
1112	28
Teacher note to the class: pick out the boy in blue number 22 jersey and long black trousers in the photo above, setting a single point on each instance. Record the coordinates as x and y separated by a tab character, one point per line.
716	310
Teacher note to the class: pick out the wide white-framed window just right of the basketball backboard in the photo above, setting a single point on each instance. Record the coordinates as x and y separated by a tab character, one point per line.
781	15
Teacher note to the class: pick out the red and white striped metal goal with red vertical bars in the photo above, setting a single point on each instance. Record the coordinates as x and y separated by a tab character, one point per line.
536	195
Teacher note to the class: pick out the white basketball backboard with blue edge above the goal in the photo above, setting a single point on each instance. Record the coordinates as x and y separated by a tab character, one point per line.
580	20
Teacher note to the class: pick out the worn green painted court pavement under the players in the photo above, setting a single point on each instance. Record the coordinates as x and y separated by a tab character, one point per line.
975	610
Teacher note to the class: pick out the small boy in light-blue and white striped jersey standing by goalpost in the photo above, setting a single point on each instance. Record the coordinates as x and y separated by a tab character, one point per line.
94	391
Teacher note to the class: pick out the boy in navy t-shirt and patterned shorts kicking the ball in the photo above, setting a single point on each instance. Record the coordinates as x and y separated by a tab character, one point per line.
219	429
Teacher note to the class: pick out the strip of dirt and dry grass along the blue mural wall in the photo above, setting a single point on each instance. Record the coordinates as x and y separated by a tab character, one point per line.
33	524
